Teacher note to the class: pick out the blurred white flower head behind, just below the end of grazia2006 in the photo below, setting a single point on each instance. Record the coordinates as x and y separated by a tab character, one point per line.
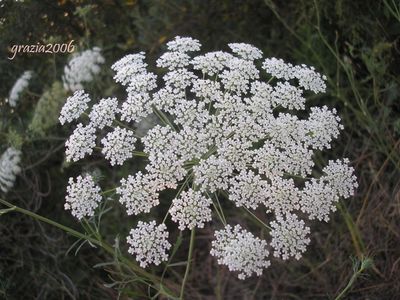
82	68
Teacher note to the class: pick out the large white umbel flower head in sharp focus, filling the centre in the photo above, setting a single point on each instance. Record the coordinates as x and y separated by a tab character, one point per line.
223	132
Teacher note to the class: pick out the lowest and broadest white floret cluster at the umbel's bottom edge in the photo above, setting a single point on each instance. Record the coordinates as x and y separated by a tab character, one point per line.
240	251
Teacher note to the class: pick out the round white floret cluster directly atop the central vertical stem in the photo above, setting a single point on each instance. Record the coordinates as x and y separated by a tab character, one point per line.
191	209
